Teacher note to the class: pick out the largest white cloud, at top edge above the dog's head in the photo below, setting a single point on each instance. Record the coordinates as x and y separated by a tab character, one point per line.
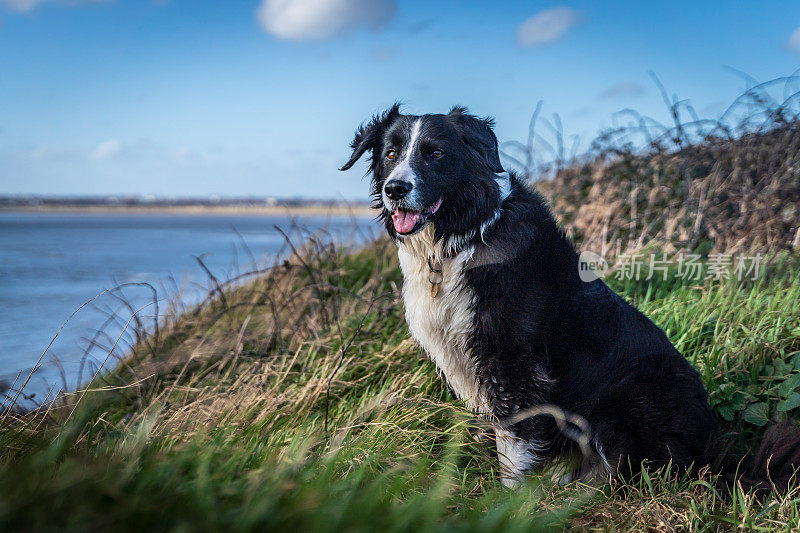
303	20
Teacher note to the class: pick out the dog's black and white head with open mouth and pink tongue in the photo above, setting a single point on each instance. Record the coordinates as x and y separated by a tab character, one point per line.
432	168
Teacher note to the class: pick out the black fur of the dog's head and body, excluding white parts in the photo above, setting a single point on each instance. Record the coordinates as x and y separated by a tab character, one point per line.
541	335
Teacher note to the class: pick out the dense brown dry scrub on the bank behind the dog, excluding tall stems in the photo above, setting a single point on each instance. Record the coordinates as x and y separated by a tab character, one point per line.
724	194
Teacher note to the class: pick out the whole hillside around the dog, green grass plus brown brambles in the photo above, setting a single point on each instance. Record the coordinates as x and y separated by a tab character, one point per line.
293	398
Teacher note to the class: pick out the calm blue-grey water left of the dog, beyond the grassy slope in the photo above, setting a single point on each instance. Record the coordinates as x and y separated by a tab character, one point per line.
51	264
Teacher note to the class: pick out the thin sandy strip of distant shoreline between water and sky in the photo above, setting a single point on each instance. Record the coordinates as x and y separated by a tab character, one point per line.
295	210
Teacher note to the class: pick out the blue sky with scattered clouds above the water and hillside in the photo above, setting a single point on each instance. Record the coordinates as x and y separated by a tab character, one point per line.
261	97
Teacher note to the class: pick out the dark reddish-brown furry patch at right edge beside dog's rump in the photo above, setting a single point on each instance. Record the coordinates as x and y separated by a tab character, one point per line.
776	466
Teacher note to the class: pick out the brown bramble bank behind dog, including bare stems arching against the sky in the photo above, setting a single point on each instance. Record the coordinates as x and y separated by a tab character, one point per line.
726	184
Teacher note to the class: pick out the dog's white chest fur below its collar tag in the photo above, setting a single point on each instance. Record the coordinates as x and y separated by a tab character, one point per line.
443	324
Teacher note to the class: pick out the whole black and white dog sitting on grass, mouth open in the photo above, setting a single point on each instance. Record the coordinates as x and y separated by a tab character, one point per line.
492	292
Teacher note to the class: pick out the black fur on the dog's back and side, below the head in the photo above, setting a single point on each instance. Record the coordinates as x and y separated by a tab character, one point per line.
547	337
